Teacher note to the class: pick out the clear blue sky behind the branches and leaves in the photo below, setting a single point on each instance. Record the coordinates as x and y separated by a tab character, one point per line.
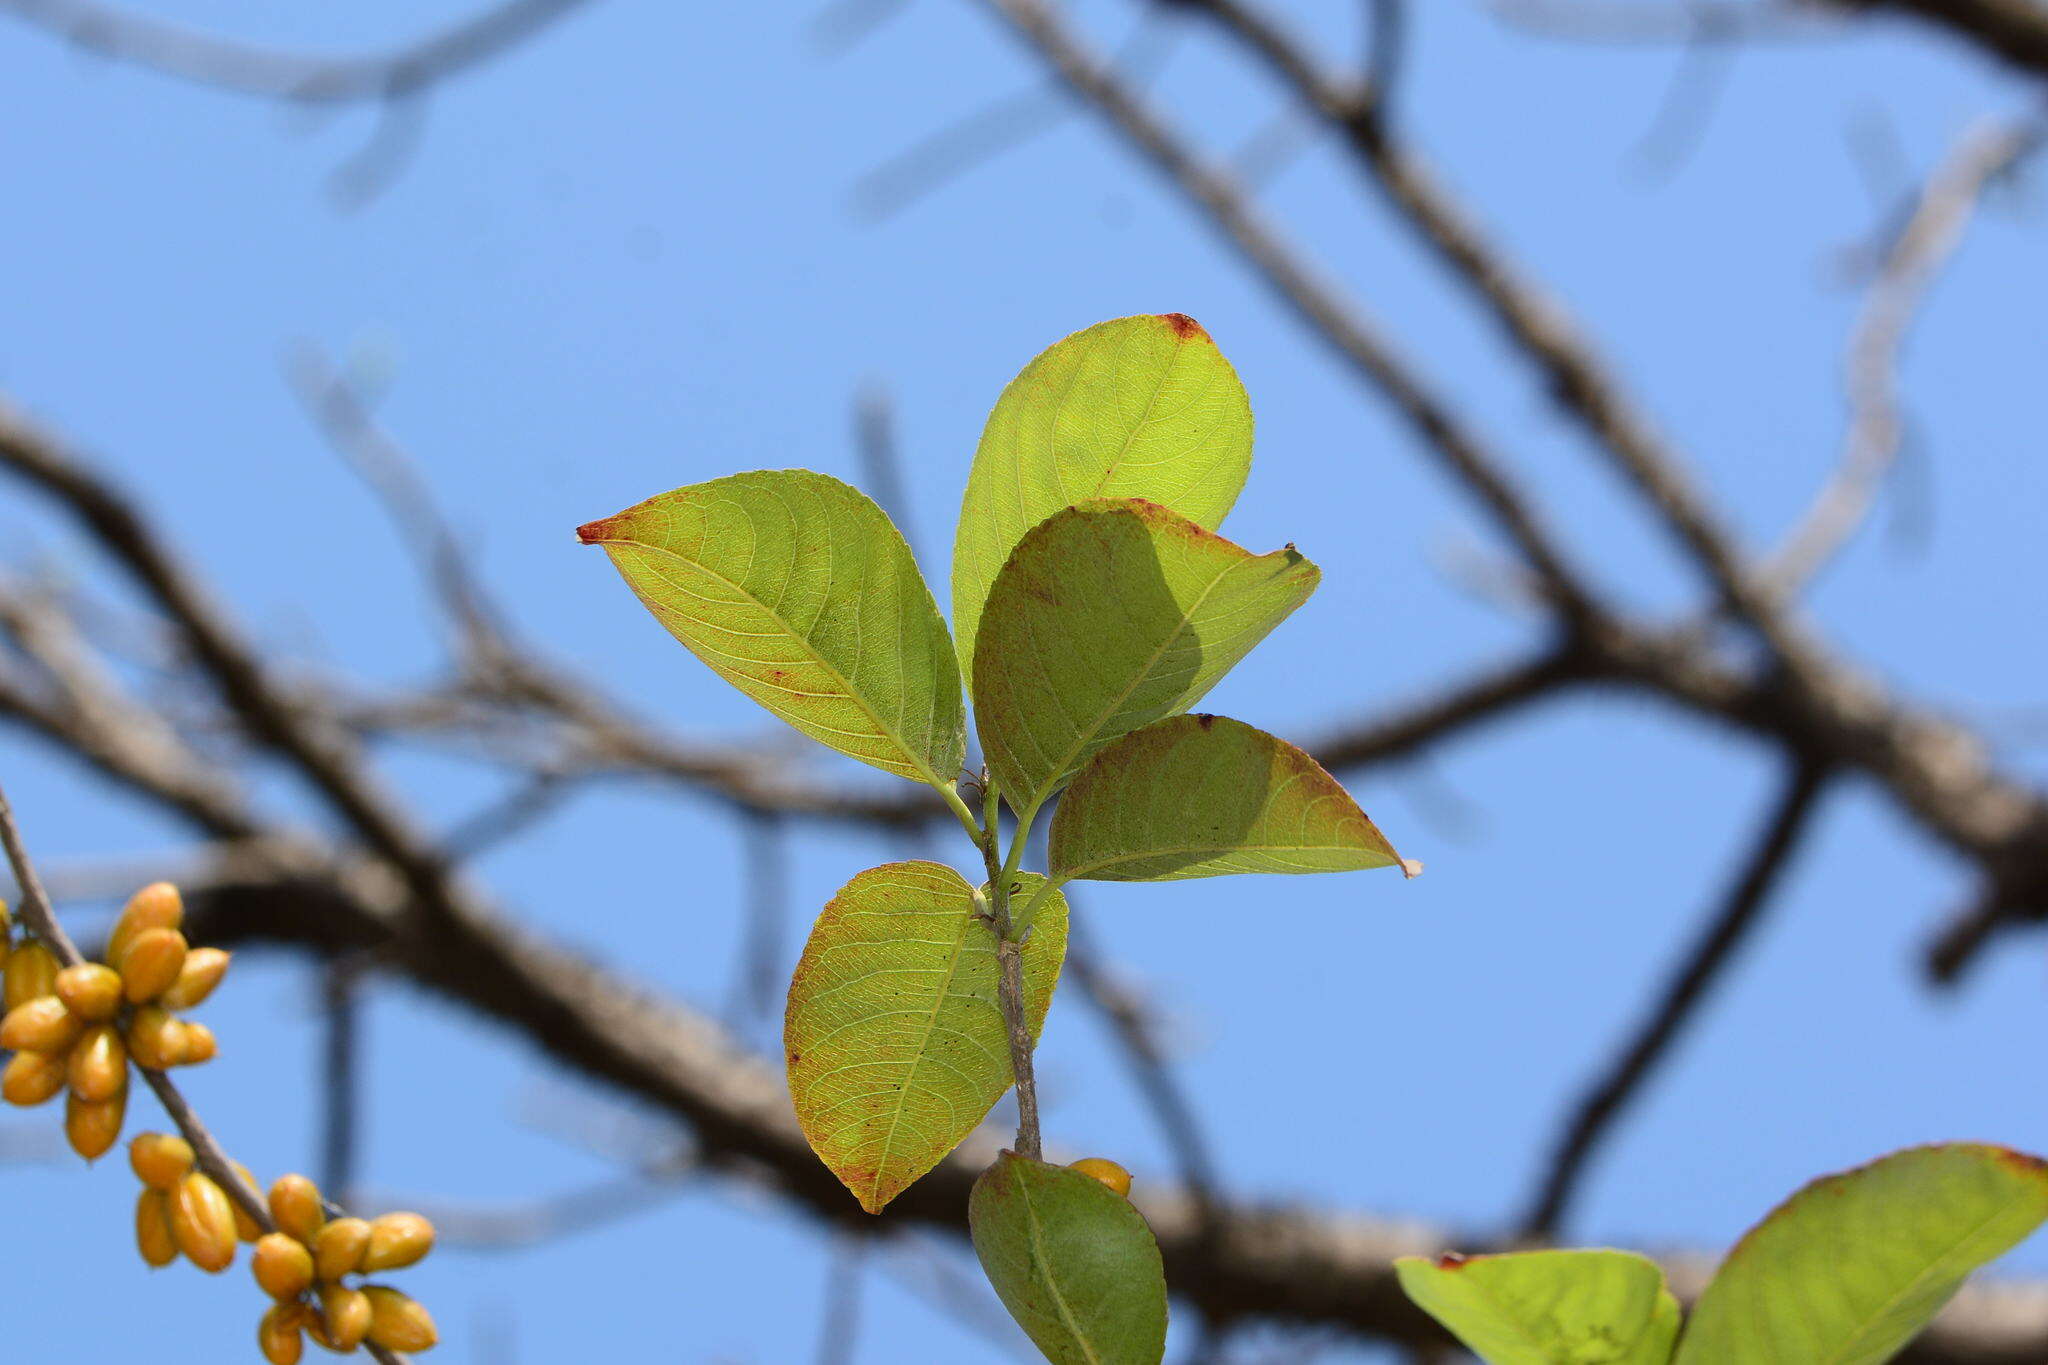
628	257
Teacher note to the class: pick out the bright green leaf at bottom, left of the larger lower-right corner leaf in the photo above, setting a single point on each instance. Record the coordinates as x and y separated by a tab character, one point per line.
1549	1307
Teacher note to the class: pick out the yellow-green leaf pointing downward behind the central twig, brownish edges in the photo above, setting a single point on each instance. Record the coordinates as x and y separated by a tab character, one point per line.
894	1039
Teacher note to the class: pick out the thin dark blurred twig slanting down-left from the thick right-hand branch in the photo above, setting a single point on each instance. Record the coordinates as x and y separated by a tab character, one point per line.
1779	842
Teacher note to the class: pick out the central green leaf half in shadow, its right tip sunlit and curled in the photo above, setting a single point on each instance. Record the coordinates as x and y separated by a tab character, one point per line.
1109	617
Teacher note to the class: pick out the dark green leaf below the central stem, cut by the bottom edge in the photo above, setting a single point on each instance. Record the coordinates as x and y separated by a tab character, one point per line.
1072	1262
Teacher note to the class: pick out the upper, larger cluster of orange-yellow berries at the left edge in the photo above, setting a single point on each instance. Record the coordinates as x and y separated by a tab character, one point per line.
81	1026
